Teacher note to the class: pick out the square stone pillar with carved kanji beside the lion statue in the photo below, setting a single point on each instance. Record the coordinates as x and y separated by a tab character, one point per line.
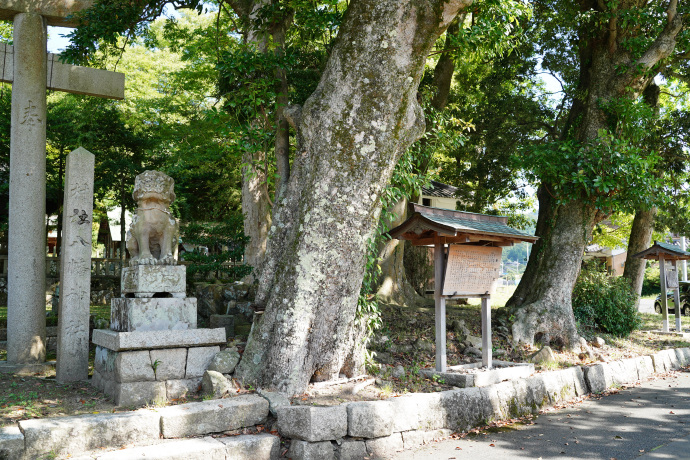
75	268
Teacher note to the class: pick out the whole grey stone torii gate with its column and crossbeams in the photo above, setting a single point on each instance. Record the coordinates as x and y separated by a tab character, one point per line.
32	71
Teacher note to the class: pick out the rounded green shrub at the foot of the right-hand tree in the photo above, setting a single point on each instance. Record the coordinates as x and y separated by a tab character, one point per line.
605	303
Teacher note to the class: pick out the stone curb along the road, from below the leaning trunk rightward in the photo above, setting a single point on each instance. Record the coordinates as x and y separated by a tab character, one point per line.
380	428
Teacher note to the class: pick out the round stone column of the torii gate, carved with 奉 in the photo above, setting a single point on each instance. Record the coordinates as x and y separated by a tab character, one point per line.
26	265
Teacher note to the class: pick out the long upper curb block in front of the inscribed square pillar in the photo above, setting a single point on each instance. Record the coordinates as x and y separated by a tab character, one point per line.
83	433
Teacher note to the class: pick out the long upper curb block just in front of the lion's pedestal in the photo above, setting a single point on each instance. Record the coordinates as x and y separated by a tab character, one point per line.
213	416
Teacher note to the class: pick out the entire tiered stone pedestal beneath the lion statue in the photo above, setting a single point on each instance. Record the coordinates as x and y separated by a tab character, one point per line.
153	351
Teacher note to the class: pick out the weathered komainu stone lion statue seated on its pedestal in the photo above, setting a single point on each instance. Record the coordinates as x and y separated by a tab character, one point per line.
153	236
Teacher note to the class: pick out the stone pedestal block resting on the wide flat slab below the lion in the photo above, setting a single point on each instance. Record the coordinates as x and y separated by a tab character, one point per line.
154	314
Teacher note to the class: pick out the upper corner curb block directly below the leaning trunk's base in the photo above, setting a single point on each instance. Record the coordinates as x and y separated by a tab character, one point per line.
313	424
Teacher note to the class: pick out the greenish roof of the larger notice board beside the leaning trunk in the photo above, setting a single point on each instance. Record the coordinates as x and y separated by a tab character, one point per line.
426	222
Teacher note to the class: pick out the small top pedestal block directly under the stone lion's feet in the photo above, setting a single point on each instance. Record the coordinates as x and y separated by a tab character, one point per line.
147	280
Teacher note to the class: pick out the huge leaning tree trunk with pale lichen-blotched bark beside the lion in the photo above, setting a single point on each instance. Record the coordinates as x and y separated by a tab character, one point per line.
350	132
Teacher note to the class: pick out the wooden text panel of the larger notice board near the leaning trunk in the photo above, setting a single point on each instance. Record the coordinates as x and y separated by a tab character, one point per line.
471	270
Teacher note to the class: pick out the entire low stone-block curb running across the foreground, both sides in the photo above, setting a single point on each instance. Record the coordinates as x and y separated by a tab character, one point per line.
377	428
